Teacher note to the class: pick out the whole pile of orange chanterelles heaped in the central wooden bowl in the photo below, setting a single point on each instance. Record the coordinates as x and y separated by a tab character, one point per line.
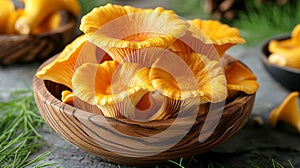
148	64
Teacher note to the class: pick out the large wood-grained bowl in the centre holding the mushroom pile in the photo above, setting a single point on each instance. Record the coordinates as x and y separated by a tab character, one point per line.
138	143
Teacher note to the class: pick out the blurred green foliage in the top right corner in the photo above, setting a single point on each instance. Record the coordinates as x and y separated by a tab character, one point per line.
261	21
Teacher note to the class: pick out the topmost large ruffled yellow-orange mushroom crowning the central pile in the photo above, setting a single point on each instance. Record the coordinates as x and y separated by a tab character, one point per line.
122	30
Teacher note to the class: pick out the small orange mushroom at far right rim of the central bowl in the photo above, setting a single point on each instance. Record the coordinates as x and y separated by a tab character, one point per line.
240	78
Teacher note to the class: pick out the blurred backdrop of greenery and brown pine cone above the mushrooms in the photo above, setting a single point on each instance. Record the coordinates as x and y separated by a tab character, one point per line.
257	19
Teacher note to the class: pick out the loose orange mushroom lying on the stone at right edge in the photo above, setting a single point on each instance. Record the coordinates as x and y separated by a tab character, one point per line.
287	111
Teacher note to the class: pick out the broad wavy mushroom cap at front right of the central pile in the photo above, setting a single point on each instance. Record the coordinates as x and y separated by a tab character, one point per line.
189	75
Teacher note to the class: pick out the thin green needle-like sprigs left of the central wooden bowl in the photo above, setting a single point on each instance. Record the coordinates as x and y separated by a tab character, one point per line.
19	138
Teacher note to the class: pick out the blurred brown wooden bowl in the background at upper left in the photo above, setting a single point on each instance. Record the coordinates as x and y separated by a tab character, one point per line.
28	48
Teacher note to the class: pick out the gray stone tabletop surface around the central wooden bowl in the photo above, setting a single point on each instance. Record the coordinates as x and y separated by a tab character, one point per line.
253	144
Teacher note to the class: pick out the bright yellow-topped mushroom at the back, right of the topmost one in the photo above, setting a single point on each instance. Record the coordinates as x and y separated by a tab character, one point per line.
210	34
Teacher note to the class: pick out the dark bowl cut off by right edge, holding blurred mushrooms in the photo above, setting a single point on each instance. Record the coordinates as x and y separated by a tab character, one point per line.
287	77
